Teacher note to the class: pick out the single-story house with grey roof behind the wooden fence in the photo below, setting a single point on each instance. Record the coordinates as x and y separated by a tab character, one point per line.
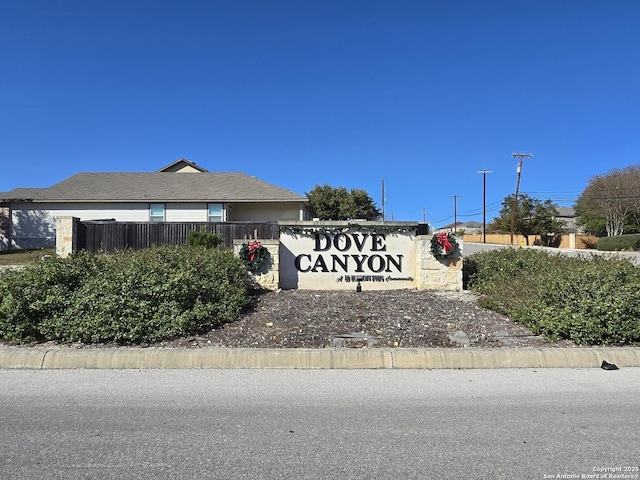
179	192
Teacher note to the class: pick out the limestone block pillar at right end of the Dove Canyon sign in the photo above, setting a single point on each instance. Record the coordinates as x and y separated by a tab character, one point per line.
434	274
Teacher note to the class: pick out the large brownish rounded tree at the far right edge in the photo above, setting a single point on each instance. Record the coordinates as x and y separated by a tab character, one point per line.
611	202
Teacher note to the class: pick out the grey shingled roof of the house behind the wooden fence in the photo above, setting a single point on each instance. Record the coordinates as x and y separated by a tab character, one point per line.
157	187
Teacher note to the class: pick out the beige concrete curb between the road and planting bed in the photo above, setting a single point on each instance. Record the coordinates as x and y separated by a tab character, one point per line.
343	358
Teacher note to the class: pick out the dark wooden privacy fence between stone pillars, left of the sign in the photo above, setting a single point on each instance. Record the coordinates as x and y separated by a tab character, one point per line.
108	236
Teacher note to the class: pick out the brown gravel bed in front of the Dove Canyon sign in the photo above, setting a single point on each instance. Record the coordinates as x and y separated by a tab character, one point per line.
397	318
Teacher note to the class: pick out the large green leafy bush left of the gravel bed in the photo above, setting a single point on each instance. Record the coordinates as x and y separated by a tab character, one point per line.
128	297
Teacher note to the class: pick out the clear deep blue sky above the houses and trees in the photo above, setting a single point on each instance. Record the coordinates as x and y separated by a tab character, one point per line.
422	94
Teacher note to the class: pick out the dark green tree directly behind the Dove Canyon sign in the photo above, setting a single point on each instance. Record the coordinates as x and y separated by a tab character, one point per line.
329	203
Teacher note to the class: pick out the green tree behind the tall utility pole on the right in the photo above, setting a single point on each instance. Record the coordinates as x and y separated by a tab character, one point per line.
533	217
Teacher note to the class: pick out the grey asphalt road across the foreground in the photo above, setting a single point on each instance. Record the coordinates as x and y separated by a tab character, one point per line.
319	424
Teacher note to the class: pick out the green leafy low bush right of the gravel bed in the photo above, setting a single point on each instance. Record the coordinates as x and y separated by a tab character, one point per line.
589	300
